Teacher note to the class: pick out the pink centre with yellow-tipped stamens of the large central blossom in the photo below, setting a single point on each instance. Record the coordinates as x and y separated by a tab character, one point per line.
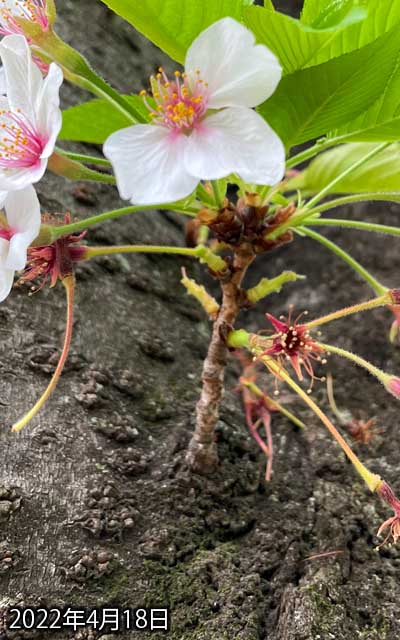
180	104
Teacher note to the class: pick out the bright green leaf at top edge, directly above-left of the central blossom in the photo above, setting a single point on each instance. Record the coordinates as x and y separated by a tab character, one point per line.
173	24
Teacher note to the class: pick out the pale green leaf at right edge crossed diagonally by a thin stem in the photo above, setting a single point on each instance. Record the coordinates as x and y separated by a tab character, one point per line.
380	174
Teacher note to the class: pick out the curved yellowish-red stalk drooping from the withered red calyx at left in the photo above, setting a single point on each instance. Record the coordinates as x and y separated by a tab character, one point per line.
69	284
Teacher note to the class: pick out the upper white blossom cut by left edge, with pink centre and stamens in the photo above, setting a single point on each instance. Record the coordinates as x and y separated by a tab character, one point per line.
30	115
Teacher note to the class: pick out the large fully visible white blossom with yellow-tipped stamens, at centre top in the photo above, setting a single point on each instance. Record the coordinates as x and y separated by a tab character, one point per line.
203	124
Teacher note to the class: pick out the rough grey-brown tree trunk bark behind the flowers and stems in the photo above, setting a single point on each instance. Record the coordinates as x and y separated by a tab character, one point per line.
96	502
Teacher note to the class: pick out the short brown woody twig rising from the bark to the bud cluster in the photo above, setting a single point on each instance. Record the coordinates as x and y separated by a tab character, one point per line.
202	455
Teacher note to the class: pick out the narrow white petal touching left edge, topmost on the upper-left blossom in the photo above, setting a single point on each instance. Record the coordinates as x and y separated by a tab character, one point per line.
23	78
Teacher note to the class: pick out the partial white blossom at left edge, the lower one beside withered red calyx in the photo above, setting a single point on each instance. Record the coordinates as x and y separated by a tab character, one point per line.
19	226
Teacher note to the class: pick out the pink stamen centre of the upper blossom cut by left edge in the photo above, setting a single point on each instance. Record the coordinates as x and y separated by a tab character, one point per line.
20	144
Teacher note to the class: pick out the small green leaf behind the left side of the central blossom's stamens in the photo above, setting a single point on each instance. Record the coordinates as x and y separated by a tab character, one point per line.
94	121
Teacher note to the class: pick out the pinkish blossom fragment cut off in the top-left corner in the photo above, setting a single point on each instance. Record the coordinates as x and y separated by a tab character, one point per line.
32	10
